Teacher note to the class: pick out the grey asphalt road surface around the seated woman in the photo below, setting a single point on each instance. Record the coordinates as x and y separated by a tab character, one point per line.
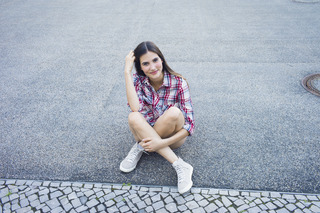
62	97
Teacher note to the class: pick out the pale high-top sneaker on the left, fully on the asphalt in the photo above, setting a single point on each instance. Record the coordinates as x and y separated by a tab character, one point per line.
133	157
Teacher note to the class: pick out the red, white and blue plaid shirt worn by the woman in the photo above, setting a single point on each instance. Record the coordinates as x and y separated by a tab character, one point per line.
173	92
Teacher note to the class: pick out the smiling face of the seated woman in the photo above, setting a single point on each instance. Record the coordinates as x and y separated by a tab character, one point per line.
151	65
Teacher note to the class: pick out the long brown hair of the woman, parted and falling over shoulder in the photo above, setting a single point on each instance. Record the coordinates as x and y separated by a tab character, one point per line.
142	49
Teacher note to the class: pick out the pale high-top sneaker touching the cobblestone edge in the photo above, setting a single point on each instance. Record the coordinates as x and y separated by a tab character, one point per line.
184	173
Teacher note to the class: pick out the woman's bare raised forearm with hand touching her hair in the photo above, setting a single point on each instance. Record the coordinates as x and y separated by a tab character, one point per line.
132	96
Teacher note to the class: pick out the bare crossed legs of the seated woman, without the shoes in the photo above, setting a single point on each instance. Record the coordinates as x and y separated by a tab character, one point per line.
167	125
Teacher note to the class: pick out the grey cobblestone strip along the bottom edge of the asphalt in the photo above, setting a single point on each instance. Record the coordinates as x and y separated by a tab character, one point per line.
54	196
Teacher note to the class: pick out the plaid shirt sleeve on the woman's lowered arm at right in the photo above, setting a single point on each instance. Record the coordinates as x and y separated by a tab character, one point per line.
186	107
